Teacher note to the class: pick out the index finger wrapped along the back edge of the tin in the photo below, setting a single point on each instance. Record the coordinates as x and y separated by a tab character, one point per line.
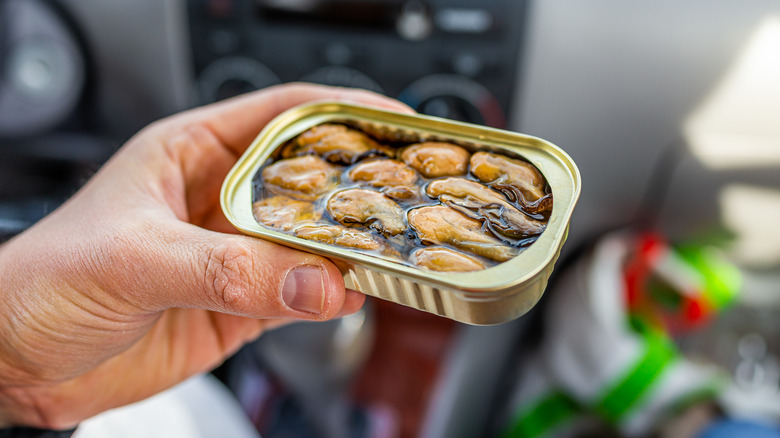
236	122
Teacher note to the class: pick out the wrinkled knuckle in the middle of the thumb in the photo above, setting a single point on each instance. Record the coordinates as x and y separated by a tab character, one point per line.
228	274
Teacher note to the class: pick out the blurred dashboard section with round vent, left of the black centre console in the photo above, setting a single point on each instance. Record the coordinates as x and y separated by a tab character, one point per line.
77	79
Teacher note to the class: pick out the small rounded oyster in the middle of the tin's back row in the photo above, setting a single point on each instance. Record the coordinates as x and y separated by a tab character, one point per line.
436	159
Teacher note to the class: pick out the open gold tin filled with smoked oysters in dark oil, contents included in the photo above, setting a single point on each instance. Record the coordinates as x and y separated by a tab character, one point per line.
455	219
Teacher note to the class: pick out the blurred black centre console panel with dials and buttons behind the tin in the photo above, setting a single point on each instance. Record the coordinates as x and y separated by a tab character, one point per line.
447	58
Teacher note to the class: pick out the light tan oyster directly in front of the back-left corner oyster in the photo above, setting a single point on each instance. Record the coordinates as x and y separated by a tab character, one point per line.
303	177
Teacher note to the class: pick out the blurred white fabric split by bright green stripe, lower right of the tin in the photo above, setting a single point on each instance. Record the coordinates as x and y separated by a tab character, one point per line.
589	345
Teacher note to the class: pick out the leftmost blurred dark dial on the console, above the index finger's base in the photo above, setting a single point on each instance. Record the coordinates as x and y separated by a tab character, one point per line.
231	76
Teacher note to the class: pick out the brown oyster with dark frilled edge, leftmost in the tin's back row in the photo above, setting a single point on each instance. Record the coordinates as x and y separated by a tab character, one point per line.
335	143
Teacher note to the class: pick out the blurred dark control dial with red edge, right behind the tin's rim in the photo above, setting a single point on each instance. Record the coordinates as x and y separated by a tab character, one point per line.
454	97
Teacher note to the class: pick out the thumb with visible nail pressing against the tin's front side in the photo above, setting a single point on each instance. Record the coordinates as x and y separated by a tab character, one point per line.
245	276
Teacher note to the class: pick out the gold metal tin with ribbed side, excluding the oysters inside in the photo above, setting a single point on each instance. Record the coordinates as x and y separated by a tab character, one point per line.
491	296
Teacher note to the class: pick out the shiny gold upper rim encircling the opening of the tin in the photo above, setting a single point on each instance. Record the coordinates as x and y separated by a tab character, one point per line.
557	167
